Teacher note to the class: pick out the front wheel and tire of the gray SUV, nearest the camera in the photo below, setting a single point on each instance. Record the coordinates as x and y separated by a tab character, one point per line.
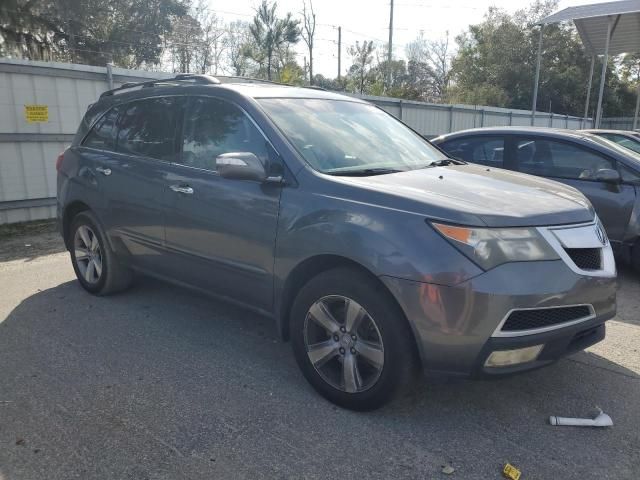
351	340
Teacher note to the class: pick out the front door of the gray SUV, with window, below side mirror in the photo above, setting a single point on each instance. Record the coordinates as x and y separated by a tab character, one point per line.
220	233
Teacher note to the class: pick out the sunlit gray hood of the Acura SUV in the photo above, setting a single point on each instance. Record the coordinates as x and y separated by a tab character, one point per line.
476	195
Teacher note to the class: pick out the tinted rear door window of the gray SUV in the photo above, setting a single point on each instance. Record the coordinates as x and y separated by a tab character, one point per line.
147	128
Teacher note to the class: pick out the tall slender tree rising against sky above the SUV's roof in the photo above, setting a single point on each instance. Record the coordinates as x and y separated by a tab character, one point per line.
272	34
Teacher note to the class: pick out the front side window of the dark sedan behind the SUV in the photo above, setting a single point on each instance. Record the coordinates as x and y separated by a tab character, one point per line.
551	158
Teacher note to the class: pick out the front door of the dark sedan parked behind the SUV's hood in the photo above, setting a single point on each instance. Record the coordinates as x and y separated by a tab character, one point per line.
577	165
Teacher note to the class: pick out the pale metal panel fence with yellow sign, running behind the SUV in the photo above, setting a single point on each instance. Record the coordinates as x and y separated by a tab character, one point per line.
30	142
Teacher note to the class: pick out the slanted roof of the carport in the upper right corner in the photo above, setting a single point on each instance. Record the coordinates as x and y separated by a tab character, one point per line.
591	21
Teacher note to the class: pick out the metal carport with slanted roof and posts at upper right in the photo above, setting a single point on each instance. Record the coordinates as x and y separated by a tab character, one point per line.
605	29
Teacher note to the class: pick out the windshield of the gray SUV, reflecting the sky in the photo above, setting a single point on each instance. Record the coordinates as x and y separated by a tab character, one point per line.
342	137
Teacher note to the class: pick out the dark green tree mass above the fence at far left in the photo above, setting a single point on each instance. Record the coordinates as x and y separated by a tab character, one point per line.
128	32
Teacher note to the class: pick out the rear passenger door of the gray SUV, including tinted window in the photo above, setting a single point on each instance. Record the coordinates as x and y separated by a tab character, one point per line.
132	177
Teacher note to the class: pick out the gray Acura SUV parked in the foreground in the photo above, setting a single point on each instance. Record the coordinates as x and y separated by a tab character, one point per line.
374	253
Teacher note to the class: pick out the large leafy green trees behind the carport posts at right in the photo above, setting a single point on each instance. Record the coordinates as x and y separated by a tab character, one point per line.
496	60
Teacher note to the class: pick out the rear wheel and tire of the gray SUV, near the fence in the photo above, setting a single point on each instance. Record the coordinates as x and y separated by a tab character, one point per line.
95	265
